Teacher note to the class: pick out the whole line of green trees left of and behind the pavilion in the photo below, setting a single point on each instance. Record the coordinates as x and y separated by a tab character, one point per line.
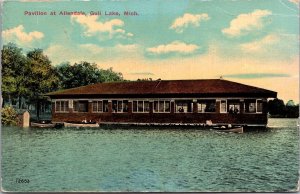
26	77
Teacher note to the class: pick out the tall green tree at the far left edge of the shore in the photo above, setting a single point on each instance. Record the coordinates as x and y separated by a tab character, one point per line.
14	68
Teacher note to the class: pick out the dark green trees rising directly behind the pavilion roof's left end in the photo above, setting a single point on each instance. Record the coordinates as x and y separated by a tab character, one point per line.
84	73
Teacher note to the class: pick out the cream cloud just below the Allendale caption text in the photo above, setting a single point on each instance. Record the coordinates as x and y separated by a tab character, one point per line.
94	27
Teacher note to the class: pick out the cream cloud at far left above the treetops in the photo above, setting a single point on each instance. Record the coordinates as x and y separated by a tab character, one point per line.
20	37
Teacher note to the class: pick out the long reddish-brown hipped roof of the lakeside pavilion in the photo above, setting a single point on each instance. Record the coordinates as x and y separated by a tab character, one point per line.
170	87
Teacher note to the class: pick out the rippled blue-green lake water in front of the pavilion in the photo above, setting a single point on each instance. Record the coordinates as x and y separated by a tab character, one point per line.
151	159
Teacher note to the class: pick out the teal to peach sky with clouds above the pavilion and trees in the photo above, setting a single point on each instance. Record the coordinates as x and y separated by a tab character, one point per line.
254	42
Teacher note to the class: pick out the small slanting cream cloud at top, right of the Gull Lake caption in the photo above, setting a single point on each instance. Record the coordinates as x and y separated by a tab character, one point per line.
188	19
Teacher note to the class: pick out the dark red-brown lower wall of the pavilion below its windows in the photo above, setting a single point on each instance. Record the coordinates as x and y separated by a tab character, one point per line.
194	117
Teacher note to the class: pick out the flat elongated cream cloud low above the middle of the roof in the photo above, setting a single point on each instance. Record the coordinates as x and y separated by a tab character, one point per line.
174	47
